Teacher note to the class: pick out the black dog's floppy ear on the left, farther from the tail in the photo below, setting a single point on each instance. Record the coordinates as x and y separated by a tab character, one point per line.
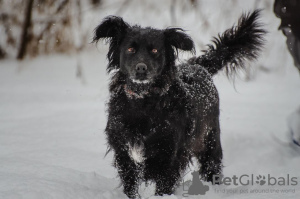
111	27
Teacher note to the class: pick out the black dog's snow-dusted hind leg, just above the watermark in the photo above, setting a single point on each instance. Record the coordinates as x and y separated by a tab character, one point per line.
211	156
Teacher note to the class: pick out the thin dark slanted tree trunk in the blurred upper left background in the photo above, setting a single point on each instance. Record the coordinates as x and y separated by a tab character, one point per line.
26	25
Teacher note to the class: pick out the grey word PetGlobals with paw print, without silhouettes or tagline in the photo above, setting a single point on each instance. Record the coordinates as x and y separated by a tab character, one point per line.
246	180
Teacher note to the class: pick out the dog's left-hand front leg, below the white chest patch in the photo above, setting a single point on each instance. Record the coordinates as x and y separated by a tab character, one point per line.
129	174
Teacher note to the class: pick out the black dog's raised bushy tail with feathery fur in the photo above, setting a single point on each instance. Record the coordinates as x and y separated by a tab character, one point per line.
234	47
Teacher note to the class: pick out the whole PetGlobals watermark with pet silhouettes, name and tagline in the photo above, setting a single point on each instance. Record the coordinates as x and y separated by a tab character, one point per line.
243	184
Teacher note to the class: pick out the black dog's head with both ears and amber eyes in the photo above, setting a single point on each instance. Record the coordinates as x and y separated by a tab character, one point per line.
141	54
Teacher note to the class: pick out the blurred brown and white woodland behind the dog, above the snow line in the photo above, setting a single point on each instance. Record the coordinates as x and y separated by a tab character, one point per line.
30	28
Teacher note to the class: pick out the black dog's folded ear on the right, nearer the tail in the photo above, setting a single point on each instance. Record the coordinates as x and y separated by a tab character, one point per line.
177	38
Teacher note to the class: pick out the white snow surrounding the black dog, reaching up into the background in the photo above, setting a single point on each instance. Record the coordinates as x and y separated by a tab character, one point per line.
52	142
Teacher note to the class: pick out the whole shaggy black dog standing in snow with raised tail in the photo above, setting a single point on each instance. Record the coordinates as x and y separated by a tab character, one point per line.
161	114
